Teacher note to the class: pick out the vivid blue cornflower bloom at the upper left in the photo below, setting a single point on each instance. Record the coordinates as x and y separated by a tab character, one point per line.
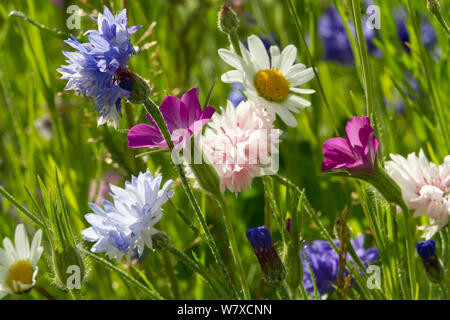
98	68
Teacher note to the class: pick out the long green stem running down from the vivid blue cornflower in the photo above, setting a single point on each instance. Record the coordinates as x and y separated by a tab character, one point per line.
154	111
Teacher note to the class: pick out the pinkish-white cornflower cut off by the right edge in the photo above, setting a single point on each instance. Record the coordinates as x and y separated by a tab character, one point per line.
425	187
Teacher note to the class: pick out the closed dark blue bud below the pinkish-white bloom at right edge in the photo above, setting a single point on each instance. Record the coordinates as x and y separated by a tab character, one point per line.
434	269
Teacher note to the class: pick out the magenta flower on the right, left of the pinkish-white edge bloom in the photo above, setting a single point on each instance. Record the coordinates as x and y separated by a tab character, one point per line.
357	153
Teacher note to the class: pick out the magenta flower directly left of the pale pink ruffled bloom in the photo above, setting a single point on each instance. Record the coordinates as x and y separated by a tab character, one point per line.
184	117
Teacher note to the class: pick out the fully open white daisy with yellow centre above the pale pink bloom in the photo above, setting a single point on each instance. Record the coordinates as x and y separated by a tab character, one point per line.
271	82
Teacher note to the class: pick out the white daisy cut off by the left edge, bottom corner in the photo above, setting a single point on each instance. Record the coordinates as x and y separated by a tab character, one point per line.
18	263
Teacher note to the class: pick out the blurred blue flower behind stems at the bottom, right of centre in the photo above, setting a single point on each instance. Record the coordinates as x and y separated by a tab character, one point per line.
324	263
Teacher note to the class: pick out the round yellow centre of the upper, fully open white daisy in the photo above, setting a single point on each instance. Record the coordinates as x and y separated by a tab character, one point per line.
271	85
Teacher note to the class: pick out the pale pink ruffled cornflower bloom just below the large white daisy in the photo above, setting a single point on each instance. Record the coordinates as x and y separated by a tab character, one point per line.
239	143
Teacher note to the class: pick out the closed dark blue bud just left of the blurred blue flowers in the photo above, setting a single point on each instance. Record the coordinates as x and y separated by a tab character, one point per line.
271	266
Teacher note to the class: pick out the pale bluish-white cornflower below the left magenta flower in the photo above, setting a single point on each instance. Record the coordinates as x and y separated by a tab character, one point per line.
126	225
